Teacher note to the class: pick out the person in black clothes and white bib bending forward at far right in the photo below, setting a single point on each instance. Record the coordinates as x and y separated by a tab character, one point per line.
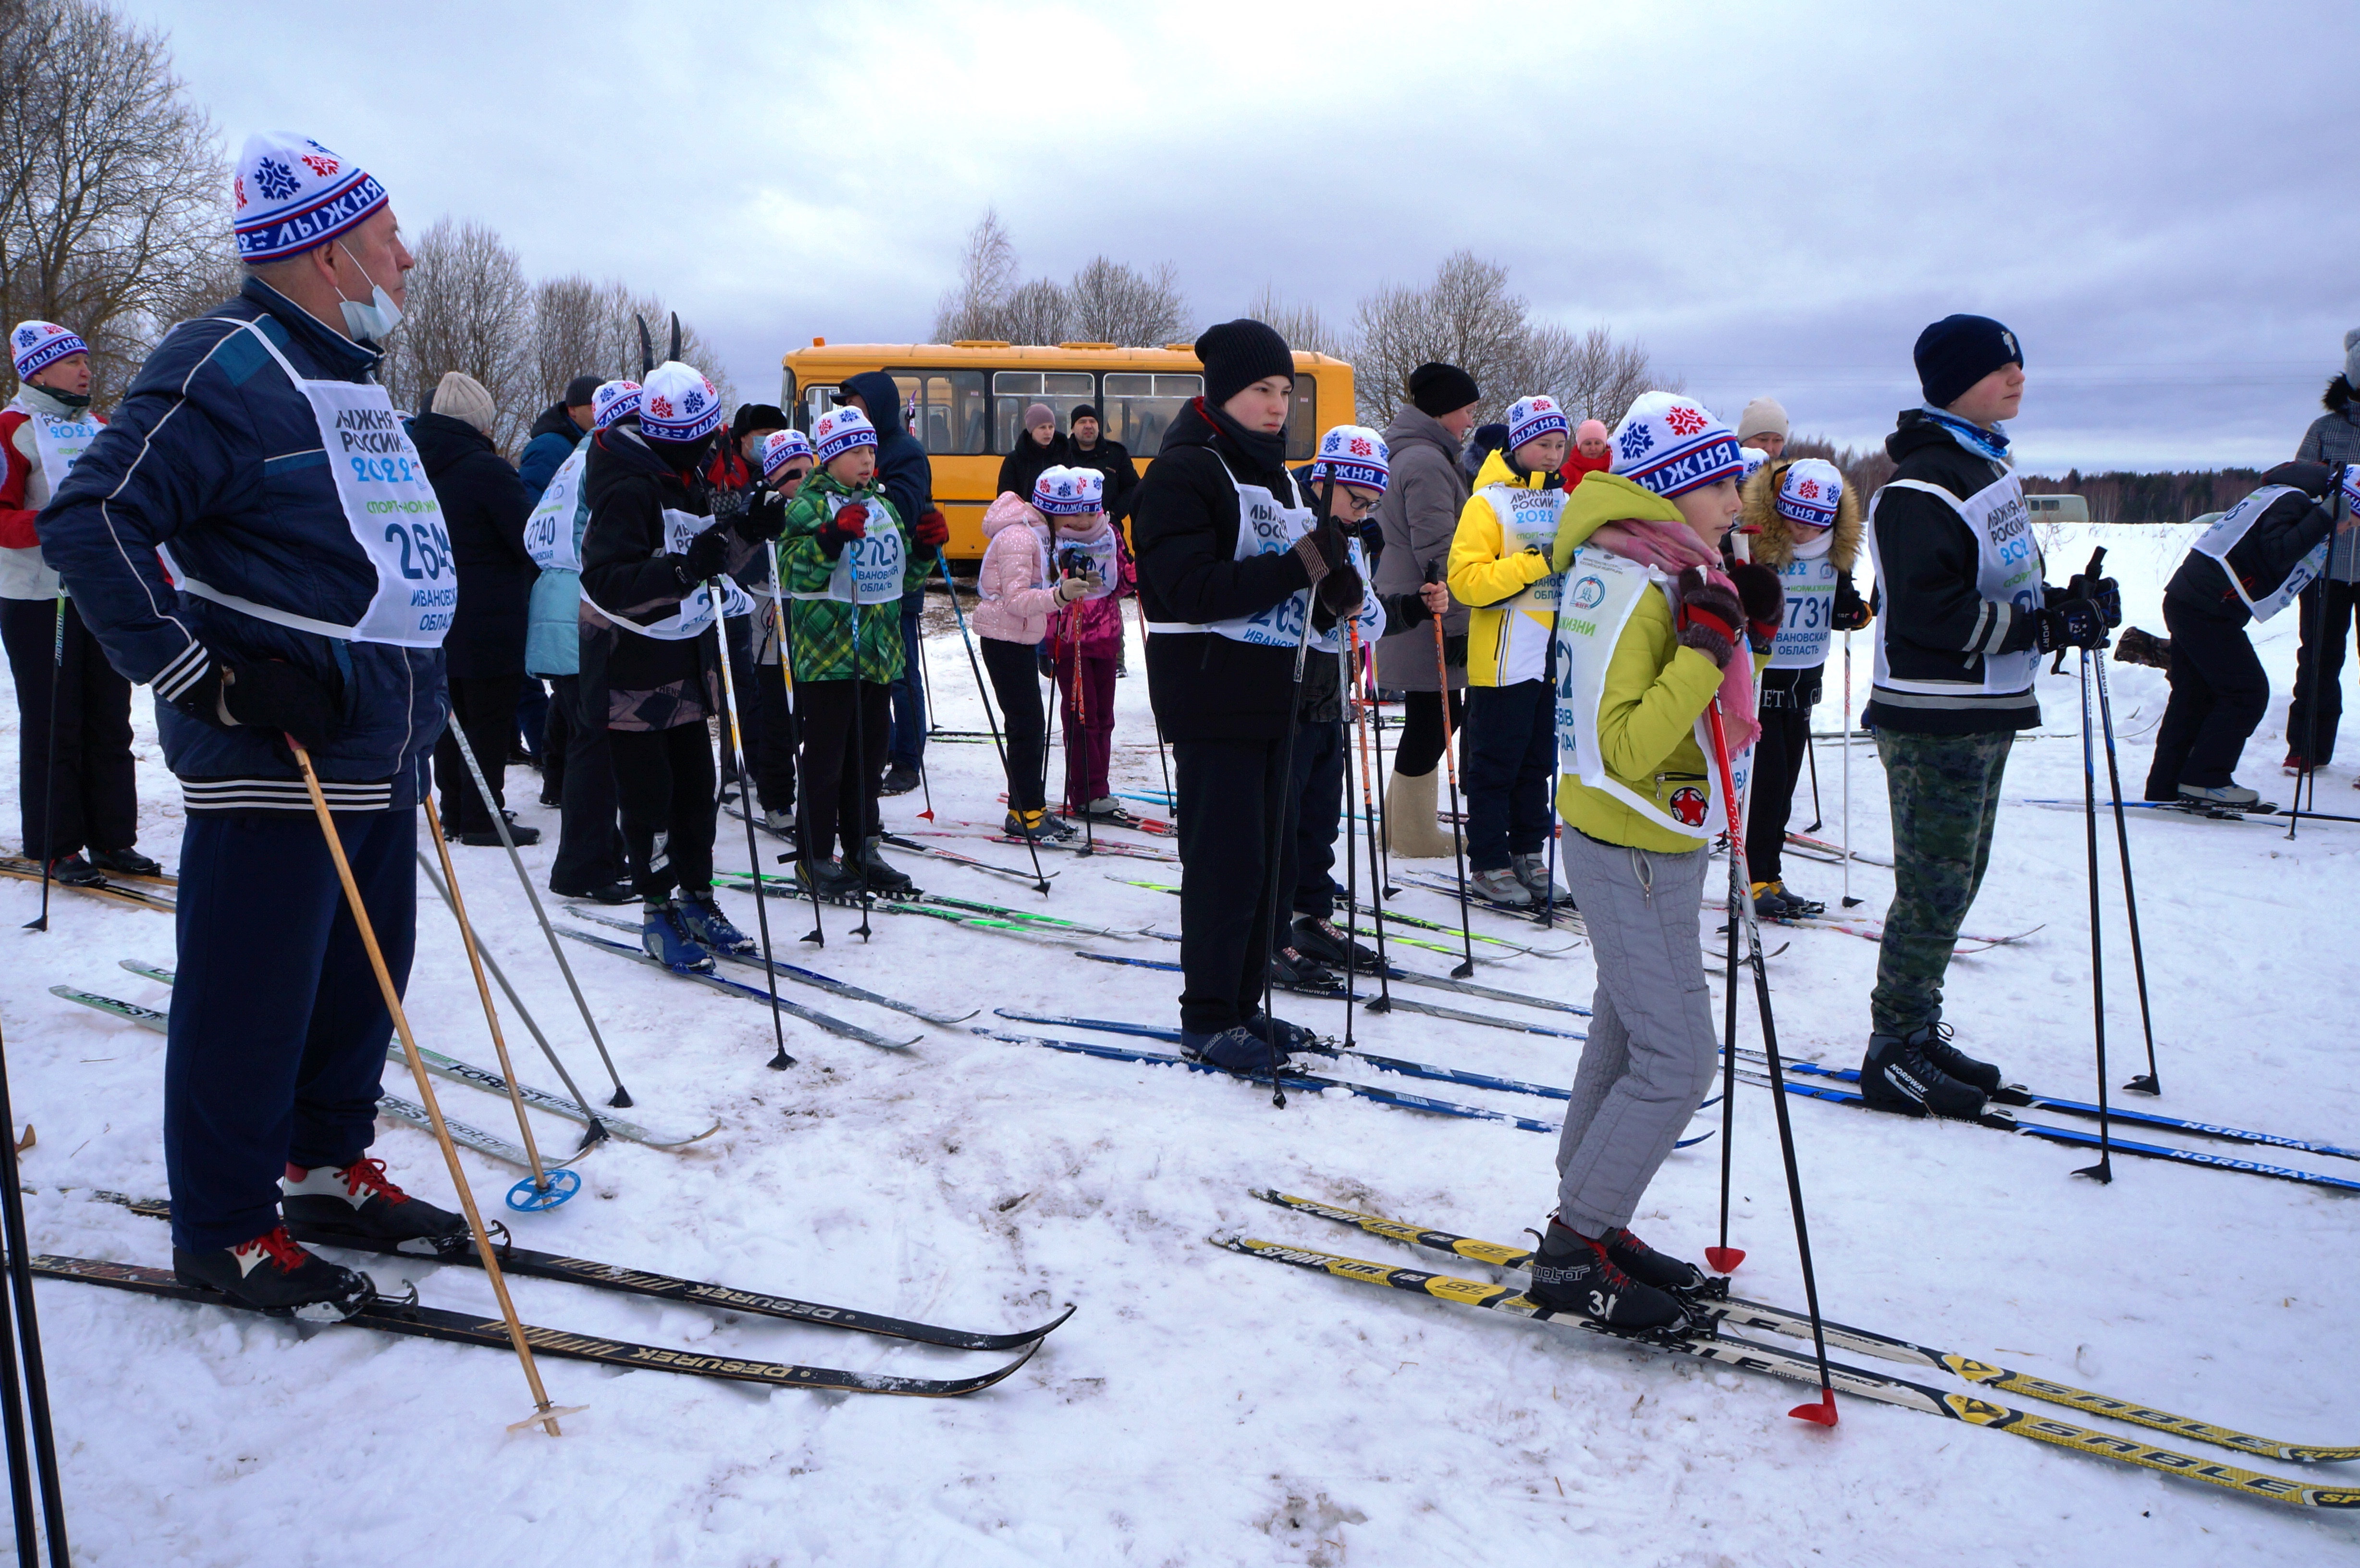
2246	568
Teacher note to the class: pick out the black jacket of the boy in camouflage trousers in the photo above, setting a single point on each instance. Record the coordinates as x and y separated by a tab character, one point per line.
1936	625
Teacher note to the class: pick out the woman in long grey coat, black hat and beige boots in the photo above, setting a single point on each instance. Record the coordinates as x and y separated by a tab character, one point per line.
1420	516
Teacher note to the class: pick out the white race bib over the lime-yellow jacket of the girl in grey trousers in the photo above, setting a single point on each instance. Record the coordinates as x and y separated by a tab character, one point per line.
1601	592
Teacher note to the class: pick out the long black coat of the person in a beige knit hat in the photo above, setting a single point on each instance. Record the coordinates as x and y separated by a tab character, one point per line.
485	509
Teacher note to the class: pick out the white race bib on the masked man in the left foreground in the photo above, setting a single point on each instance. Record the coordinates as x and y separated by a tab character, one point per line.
388	507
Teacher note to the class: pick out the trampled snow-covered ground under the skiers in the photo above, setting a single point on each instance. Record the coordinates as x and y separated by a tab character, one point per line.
1212	1409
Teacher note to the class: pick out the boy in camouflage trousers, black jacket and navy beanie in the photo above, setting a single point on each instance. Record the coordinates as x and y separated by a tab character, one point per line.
1965	620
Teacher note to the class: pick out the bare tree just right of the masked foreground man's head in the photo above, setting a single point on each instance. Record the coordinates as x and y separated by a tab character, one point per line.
468	311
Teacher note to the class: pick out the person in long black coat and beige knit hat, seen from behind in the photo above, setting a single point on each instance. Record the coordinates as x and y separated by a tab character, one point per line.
485	507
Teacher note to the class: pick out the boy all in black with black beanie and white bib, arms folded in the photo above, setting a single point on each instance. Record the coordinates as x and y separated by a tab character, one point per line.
1231	566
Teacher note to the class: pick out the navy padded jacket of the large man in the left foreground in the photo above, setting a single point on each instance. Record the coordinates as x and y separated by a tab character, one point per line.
218	457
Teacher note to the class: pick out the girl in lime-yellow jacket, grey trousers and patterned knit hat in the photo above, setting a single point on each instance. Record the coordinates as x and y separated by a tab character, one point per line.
1651	634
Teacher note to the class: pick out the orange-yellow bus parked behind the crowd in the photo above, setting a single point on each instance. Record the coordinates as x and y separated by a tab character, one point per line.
966	403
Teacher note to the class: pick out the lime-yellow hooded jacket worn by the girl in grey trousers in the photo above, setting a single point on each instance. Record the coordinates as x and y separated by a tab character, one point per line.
1656	688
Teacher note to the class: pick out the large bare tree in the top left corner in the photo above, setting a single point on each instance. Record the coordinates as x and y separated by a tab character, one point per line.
112	185
